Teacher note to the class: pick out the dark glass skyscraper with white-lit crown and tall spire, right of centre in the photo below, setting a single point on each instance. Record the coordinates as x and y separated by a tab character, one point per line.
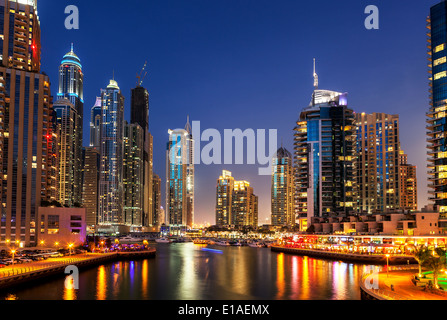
325	157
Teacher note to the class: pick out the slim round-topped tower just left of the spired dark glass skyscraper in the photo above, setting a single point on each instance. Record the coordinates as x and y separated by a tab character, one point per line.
283	189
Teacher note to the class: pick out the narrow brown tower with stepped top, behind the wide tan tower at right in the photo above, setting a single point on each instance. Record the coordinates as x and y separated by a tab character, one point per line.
407	184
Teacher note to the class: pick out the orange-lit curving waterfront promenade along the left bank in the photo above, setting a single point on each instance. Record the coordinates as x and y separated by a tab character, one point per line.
13	275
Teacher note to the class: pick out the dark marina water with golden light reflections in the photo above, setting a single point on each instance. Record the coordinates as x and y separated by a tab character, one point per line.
186	272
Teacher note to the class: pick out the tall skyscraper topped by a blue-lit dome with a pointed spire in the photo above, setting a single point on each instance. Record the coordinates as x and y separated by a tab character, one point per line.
71	87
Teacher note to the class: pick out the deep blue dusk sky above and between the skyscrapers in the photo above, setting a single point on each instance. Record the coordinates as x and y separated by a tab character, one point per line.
248	64
